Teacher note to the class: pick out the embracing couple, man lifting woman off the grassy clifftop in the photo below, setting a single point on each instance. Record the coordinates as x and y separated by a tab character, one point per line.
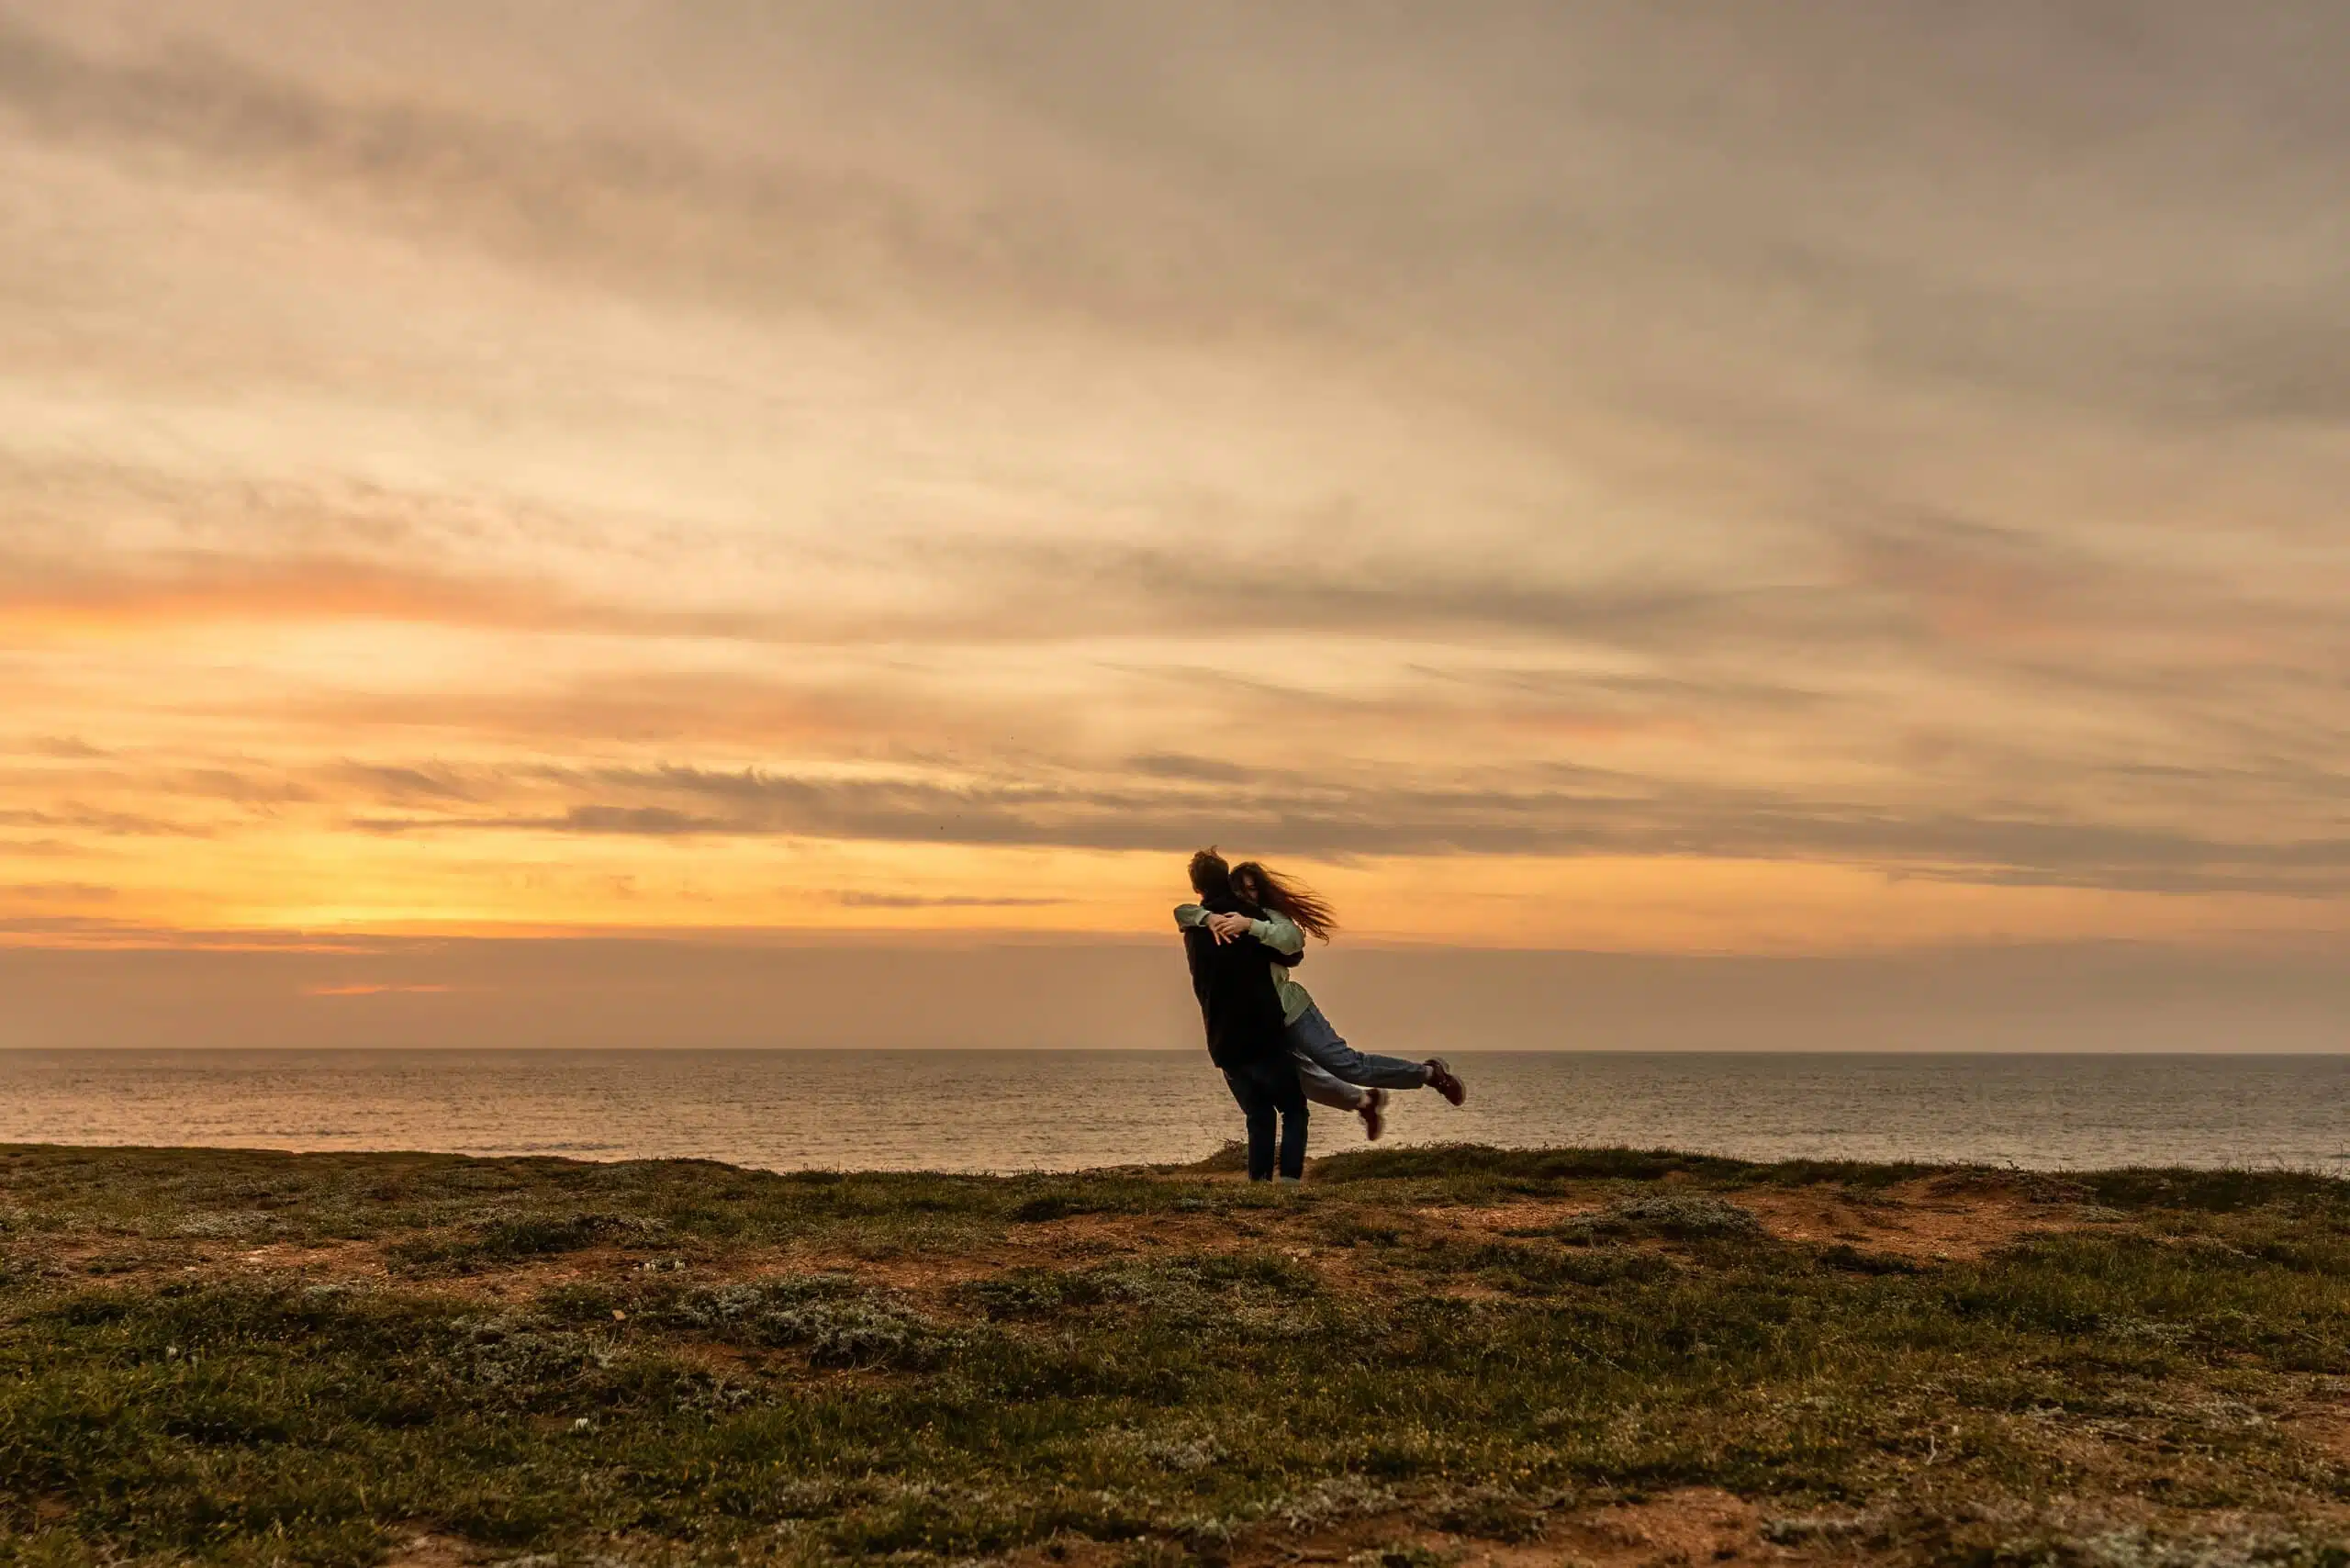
1242	939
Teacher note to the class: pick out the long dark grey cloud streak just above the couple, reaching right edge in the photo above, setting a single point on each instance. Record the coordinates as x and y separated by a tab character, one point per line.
1606	817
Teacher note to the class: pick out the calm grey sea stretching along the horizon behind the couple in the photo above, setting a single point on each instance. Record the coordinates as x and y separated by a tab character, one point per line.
1054	1111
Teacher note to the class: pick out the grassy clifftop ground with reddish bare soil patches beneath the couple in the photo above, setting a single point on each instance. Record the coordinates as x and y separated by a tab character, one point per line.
687	1362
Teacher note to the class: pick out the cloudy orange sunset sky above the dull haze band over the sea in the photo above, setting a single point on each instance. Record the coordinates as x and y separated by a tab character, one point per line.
1698	483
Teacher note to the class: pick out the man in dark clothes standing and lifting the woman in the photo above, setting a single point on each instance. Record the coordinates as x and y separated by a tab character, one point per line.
1247	1033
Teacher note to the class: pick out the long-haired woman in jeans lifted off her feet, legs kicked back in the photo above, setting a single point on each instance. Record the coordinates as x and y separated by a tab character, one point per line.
1329	1068
